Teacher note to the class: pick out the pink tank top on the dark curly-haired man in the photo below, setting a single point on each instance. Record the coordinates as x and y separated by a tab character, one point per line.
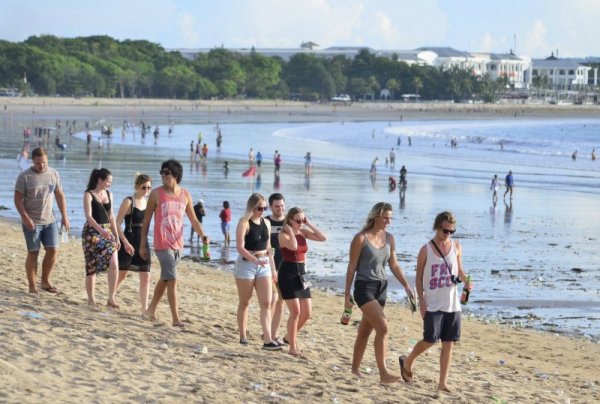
168	223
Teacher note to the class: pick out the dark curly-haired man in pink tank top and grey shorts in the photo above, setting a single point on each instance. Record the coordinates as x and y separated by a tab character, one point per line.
168	203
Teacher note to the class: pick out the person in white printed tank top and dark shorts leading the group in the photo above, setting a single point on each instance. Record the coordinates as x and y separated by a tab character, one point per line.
439	270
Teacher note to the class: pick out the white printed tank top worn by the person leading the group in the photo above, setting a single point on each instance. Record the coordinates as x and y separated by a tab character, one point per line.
440	293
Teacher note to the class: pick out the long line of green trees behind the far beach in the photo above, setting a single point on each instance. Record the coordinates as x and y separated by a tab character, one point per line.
101	66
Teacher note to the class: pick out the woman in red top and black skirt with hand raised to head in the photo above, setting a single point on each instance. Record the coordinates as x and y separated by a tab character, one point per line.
295	289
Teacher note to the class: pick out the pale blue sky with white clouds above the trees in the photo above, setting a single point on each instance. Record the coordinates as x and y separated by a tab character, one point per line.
540	26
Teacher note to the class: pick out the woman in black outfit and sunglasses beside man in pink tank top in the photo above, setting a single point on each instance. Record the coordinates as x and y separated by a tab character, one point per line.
132	213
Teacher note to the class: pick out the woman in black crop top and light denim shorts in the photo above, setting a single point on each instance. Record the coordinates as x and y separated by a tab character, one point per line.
255	268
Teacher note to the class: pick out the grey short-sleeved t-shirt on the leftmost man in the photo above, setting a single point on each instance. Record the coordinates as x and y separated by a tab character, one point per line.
38	193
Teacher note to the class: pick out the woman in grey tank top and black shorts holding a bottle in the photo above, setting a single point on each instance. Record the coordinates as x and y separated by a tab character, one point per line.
371	249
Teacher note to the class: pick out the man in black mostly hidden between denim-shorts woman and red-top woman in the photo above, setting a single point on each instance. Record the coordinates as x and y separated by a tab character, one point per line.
276	218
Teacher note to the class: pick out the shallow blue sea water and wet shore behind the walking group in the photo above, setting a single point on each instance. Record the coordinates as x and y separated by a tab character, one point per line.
532	258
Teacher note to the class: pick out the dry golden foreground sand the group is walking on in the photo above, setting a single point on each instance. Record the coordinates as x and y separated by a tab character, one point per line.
54	348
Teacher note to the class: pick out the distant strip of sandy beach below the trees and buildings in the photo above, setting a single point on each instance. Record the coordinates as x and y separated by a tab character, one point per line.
253	111
